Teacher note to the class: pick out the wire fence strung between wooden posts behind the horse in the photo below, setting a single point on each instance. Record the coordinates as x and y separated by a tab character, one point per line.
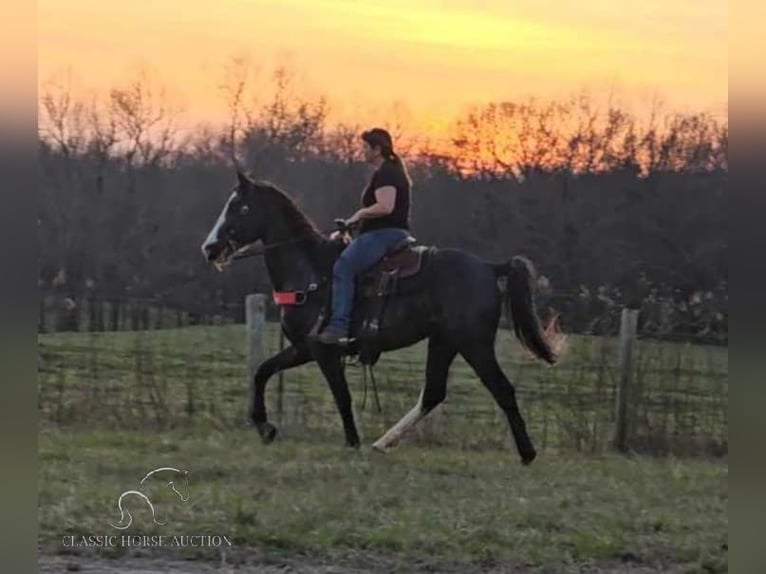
164	367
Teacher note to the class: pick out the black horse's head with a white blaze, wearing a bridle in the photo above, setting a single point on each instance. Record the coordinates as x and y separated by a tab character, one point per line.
240	224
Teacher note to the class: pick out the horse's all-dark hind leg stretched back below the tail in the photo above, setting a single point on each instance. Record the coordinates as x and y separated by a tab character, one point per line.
482	359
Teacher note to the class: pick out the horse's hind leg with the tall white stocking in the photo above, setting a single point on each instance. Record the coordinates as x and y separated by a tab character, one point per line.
440	357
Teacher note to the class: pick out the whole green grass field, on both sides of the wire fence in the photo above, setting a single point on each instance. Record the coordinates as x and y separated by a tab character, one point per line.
451	498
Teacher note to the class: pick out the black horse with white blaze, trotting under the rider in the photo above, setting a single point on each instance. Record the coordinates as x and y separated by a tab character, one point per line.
457	308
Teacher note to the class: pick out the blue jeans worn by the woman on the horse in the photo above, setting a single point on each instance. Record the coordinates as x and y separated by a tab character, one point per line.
361	254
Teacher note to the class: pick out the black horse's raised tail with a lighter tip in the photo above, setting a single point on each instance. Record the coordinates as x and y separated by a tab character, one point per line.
521	311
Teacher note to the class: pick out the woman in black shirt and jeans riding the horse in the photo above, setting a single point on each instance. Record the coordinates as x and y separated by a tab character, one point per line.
384	221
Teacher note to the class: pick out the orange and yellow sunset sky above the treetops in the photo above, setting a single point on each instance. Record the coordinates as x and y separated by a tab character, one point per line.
433	57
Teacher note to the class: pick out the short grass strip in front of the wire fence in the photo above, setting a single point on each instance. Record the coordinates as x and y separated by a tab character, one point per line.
419	505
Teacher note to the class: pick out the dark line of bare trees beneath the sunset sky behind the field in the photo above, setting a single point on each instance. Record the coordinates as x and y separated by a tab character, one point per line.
601	201
